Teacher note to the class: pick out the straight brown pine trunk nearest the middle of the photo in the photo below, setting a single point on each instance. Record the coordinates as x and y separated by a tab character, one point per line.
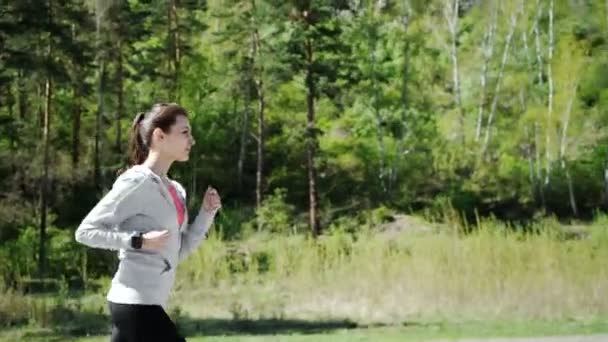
312	140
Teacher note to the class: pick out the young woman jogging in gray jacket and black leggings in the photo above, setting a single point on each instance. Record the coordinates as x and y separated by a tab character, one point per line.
144	217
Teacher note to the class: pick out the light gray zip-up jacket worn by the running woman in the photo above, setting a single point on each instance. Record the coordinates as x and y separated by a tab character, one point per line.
140	202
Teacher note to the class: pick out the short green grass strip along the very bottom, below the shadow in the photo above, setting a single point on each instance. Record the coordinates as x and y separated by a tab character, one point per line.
413	332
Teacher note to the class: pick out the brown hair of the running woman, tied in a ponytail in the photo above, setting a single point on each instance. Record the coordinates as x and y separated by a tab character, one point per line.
163	116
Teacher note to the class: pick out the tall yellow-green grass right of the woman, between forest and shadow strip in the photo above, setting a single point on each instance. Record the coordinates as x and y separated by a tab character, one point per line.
493	273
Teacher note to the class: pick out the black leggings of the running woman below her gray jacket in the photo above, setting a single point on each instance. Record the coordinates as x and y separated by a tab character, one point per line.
139	323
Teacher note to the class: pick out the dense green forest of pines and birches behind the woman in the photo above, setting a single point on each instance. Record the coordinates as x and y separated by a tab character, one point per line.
313	119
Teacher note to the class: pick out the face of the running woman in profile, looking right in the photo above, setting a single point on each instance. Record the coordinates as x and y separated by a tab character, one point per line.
176	143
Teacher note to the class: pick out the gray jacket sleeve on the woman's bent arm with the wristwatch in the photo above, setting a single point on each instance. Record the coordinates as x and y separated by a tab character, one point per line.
101	227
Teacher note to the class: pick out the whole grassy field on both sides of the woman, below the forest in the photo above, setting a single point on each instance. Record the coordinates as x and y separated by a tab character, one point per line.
494	281
